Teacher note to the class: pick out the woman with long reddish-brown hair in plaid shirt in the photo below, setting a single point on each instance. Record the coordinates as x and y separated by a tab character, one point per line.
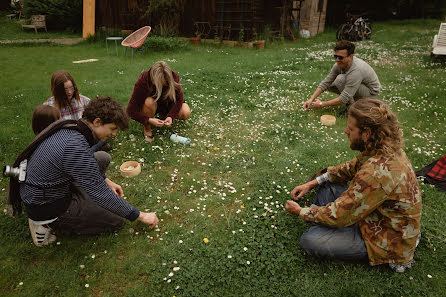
66	96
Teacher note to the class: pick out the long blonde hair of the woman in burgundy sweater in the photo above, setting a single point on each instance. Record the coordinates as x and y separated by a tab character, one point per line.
160	73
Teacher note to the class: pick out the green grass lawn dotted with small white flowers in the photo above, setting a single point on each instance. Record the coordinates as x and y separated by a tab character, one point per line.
252	143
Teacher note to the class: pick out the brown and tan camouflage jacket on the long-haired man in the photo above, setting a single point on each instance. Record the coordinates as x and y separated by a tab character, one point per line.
384	198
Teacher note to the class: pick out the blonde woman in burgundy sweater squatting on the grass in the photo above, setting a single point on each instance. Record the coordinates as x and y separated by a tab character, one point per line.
157	91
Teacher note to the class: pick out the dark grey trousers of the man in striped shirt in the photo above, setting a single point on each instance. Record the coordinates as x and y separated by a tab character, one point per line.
84	216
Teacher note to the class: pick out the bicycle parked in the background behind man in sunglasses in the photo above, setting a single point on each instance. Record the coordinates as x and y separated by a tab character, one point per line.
357	28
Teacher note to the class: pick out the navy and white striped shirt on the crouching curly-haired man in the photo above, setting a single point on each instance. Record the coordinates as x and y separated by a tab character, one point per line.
59	160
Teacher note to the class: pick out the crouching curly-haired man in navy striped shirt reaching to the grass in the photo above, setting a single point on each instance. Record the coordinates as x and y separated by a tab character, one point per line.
65	187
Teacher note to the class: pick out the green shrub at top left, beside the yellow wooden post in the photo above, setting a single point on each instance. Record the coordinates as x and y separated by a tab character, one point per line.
61	14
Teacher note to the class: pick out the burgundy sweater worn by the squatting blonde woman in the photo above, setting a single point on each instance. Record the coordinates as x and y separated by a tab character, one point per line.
143	89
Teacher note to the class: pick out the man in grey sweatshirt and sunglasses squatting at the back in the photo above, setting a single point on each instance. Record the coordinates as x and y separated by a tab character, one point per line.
350	77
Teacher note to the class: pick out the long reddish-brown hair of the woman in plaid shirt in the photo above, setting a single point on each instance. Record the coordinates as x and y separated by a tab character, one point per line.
58	89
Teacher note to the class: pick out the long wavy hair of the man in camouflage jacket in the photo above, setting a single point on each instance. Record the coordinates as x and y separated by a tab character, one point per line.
386	135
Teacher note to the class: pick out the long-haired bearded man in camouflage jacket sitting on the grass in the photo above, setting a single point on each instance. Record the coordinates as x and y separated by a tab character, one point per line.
378	215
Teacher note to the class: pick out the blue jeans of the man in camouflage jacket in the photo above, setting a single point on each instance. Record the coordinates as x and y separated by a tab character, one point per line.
344	243
